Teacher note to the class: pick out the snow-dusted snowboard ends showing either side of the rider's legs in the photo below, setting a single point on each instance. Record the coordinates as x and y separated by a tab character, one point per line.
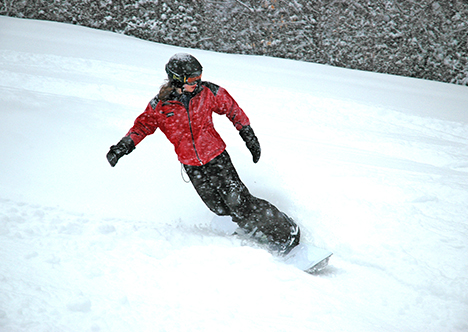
306	257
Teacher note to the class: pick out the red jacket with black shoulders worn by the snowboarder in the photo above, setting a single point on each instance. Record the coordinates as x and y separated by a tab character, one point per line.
191	130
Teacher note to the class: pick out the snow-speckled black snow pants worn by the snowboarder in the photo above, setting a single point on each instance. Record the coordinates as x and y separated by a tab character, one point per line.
221	189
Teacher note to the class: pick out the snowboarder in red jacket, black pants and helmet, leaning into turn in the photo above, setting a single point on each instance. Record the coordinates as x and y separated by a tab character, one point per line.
183	111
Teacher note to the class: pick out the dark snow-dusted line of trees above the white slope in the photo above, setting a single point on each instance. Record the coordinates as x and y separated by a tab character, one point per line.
416	38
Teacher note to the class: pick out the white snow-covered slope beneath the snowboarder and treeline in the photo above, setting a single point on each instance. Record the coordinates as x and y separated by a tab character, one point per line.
373	167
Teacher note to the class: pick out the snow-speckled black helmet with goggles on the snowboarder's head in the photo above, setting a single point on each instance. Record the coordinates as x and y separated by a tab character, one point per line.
183	68
